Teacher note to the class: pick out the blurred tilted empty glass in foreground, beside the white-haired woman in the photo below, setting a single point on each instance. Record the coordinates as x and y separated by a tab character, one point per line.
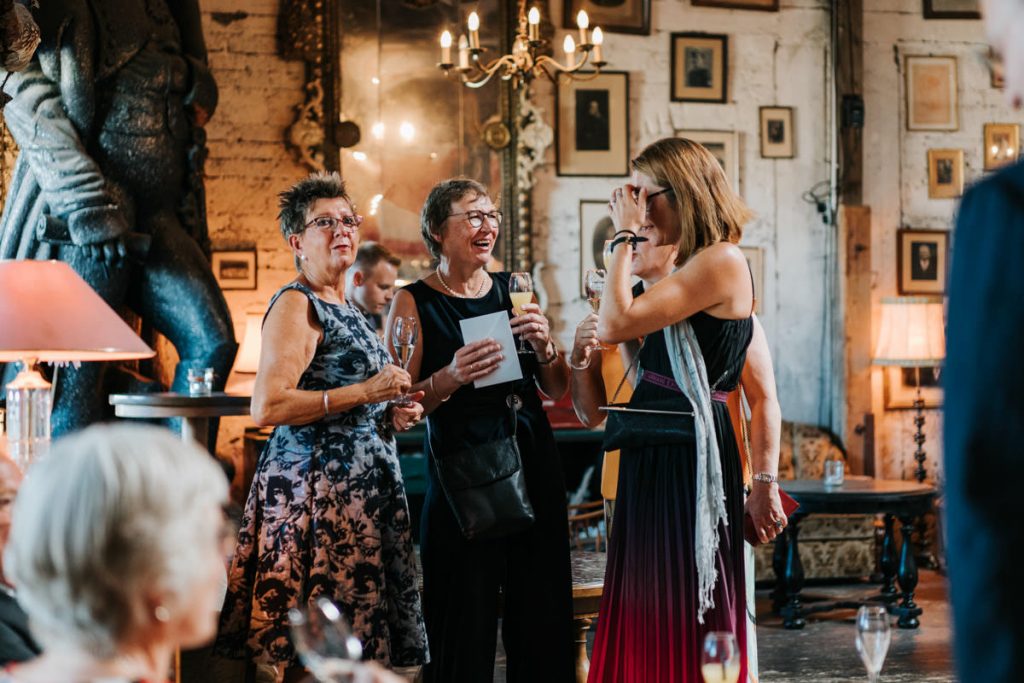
325	643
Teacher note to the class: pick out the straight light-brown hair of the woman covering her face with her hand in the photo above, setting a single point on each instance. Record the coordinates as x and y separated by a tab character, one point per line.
708	208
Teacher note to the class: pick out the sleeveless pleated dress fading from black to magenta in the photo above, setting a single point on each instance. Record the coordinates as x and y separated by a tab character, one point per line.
648	629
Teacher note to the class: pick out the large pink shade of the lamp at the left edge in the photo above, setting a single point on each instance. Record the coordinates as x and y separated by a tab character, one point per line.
49	313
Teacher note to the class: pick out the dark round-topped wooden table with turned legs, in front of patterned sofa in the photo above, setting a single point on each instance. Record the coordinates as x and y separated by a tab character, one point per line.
895	499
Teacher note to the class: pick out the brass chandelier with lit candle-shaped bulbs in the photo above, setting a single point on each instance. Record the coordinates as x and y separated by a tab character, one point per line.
526	62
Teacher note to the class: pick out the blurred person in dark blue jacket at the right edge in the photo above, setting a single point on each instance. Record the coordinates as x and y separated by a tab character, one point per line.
985	406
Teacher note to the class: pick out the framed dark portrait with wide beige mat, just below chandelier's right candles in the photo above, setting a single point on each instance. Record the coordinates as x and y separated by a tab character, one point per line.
593	123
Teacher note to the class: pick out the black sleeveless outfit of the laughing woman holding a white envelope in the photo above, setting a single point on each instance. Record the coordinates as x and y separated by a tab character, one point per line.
525	578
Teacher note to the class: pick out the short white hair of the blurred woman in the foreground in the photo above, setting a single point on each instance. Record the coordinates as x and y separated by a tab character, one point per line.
109	518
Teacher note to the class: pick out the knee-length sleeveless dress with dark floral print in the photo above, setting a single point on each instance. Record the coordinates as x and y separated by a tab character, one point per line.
327	517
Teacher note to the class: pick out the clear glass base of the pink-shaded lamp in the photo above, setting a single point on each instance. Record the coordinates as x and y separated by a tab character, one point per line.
29	406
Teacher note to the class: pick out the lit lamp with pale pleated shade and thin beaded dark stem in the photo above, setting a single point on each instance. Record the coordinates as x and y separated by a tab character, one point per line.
913	335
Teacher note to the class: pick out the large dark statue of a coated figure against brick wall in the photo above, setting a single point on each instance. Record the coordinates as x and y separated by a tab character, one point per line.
109	118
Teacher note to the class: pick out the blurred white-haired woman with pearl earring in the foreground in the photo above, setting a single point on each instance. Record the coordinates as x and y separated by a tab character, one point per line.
117	550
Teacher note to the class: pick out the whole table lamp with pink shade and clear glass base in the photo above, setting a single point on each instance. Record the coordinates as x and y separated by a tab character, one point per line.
50	314
